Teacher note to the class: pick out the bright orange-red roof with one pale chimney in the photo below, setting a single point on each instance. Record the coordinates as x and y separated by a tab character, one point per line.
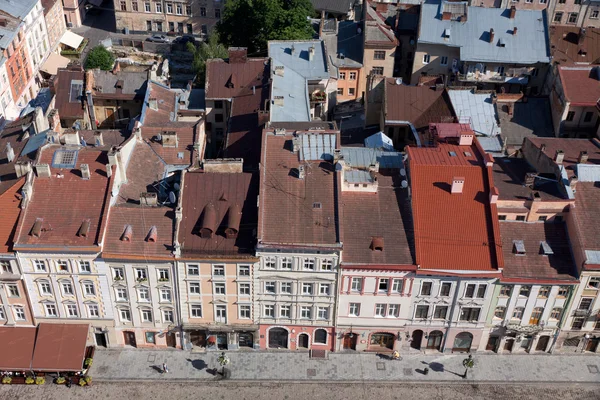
453	231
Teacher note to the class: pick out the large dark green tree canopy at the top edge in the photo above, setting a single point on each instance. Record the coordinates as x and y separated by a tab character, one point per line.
251	23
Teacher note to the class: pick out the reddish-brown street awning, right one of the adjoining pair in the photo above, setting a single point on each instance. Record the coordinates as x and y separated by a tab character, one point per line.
60	347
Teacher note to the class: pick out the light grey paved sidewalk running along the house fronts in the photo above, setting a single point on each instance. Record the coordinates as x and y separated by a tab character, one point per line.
132	364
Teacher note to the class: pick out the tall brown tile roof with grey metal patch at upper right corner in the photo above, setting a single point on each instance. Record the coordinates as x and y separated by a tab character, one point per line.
287	212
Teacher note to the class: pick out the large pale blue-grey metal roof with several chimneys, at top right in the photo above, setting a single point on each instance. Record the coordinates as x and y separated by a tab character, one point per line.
530	44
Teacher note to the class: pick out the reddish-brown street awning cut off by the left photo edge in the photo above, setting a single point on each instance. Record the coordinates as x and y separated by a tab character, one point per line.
16	348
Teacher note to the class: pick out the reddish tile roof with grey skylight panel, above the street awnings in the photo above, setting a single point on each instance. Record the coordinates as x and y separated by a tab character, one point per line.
64	201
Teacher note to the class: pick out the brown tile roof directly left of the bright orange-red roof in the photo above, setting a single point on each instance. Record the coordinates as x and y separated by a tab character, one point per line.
386	215
